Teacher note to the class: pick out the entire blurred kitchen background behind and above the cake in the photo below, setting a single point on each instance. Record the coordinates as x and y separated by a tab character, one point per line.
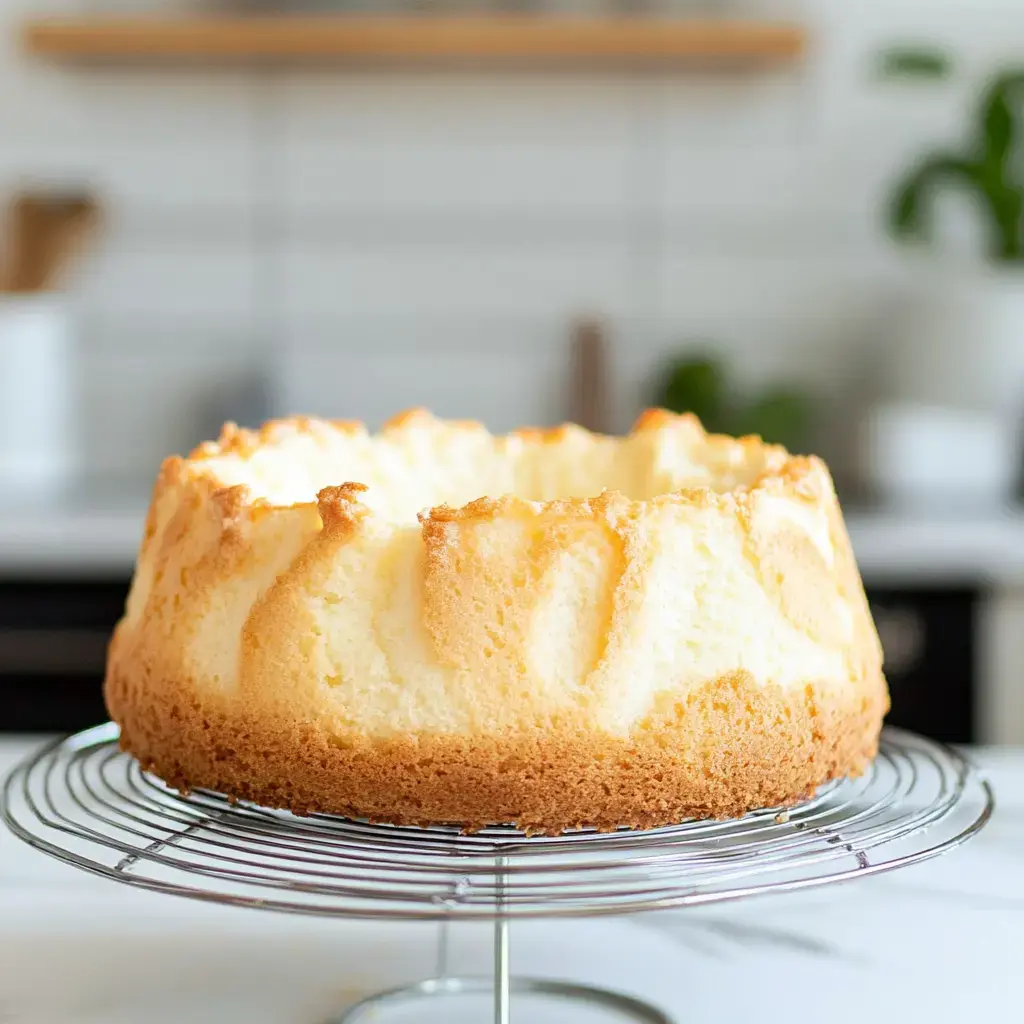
799	219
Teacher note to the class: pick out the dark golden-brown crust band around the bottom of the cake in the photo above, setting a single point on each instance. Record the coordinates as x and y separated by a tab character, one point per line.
732	749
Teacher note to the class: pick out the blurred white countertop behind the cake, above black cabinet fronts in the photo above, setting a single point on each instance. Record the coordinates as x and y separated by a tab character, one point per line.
92	534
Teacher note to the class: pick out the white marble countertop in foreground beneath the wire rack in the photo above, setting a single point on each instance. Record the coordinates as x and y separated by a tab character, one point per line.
942	944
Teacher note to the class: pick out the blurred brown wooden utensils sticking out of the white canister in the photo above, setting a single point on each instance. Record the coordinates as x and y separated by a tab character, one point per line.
46	232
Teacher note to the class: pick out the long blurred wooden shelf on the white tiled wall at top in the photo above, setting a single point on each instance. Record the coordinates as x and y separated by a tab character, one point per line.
353	39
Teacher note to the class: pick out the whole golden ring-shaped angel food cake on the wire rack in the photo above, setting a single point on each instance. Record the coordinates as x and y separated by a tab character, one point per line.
551	628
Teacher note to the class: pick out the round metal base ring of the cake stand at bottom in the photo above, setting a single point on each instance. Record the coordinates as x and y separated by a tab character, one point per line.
600	999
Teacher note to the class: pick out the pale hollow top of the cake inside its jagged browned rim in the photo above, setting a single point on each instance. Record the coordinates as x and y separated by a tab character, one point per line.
418	461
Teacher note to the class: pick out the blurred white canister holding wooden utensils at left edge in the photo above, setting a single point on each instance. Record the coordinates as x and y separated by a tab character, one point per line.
37	375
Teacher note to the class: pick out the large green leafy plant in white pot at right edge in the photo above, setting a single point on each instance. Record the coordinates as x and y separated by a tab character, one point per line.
961	339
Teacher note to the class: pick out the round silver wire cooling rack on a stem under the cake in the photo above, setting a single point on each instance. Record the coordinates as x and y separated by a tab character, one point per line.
84	802
